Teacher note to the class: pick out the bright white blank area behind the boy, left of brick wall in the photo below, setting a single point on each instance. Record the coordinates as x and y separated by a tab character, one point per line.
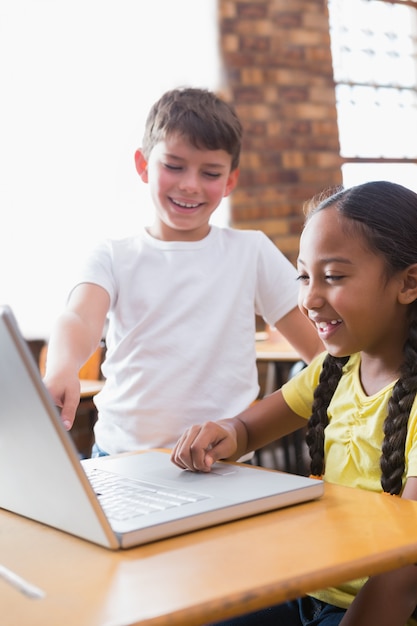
77	78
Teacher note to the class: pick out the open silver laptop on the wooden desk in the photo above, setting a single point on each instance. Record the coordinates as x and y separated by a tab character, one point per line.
42	477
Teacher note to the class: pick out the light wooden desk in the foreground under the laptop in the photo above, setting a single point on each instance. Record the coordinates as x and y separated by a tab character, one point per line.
210	574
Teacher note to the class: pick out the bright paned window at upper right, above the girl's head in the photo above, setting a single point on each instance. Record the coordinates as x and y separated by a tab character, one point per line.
374	48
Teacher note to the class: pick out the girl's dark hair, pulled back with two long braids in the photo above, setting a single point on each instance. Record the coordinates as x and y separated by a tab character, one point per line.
385	215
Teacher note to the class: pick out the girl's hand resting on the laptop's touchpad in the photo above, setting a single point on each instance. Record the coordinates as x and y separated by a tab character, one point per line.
204	444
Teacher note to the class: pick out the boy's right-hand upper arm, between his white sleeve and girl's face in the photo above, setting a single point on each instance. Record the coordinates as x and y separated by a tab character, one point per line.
301	334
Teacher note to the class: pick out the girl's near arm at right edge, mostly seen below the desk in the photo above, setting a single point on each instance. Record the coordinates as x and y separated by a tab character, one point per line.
387	599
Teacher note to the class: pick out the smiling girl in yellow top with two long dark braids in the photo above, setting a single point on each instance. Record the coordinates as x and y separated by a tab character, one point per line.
358	285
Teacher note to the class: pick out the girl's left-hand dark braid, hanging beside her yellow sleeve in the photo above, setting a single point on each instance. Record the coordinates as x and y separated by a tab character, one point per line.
329	379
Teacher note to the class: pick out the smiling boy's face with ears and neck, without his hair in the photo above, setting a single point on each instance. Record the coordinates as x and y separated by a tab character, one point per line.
187	184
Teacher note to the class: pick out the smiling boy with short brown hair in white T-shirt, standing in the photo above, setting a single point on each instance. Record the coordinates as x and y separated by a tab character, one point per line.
180	298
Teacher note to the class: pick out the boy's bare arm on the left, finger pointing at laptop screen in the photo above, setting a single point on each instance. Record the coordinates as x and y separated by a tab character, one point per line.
76	335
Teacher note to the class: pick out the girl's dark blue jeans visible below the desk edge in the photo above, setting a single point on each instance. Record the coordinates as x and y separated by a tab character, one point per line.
303	612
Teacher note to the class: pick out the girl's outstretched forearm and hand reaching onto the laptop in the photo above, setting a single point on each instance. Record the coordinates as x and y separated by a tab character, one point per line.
264	422
